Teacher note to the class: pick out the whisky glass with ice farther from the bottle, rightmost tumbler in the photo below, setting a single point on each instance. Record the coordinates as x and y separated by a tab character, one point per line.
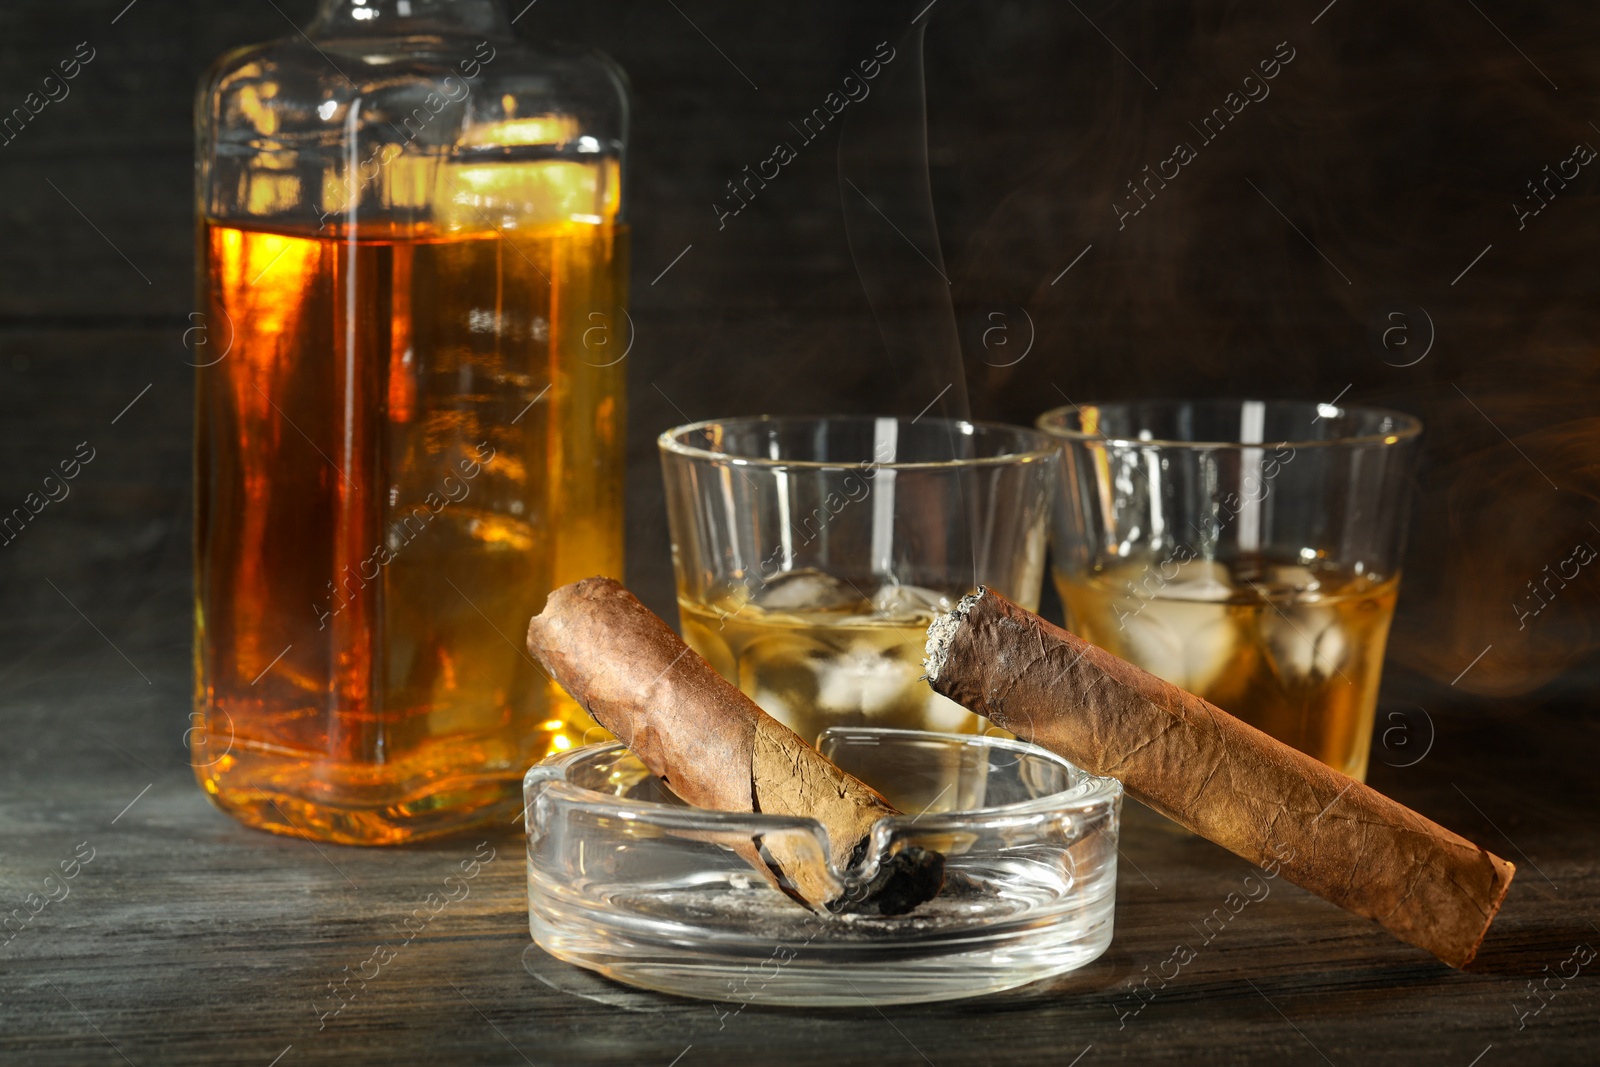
1247	551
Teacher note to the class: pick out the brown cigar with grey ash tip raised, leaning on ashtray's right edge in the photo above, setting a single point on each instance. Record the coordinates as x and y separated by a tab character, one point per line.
1218	777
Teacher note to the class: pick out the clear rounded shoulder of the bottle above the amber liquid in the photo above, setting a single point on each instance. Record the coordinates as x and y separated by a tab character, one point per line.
410	132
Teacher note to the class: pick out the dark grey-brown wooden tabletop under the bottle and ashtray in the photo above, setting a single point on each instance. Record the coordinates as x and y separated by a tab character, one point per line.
191	940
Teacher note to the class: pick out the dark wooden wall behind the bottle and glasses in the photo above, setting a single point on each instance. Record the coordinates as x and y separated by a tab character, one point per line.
1382	174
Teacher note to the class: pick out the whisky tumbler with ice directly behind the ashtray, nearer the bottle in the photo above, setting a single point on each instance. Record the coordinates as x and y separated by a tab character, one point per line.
812	554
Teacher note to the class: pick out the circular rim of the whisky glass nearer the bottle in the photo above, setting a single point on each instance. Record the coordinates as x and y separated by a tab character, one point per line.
1044	447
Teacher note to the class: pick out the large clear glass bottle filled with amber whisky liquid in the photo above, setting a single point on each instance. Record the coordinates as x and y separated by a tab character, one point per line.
410	412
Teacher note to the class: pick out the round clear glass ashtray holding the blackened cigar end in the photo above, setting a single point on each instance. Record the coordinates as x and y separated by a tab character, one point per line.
628	881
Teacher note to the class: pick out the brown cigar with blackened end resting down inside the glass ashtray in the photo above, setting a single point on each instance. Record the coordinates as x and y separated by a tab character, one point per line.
716	748
